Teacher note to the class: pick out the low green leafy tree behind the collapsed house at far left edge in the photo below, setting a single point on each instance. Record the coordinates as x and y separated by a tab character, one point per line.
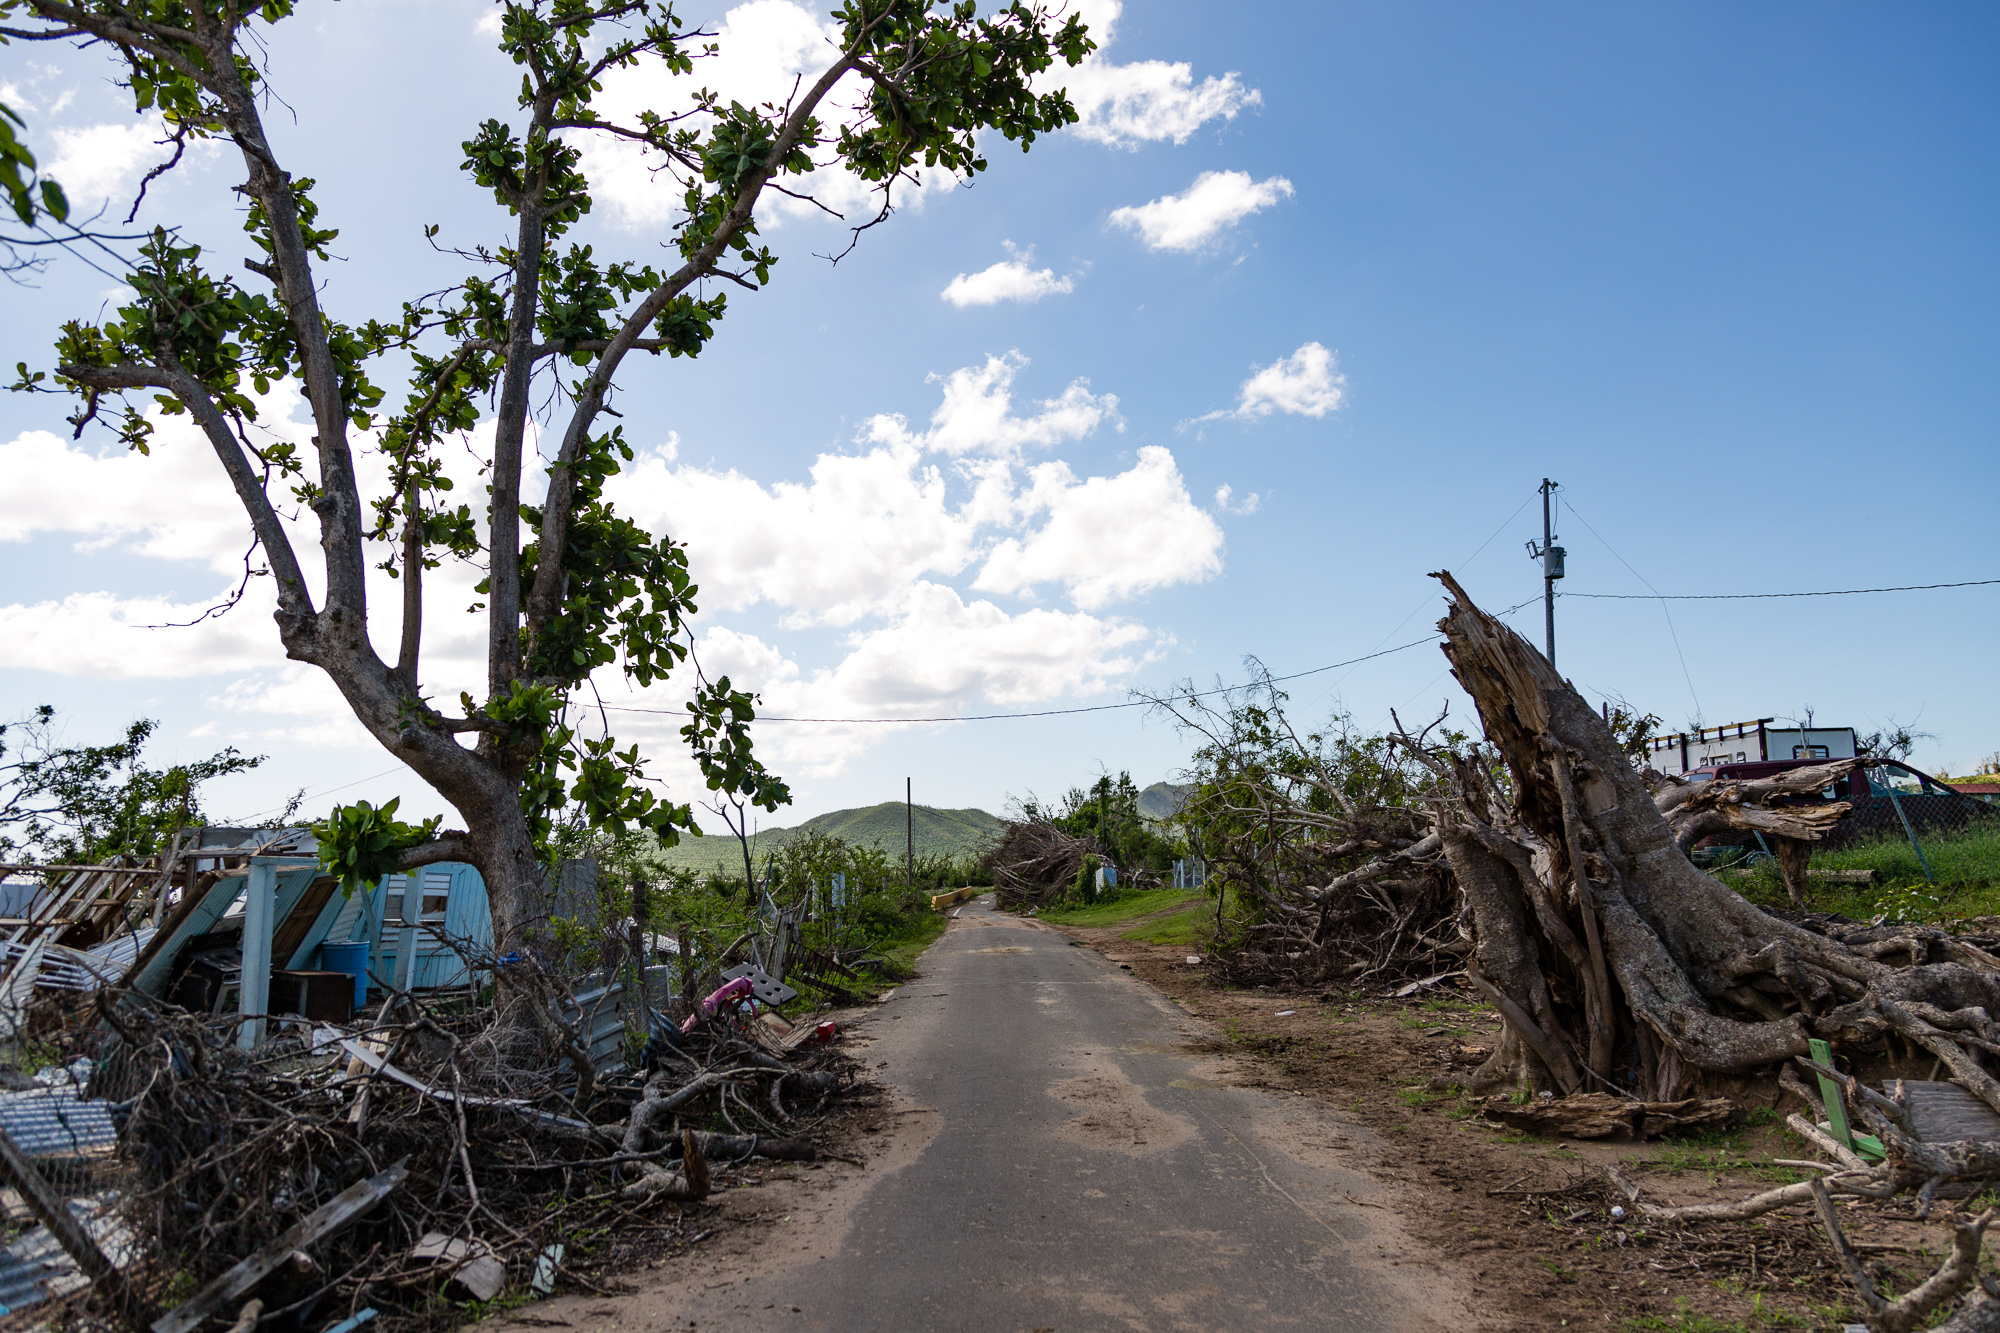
87	804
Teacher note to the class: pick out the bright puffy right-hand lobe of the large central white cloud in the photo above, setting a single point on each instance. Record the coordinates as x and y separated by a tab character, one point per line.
1109	537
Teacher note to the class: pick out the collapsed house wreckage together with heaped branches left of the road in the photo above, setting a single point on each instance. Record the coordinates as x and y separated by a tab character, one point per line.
169	1160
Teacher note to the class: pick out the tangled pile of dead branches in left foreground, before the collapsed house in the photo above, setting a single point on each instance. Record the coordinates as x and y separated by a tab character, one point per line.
359	1168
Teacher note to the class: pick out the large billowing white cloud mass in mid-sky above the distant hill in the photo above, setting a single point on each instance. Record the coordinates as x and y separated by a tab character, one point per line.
853	539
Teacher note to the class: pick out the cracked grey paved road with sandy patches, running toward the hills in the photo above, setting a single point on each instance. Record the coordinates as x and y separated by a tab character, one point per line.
1087	1172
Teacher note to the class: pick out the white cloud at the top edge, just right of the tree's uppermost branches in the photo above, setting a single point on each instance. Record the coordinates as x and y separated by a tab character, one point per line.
1149	101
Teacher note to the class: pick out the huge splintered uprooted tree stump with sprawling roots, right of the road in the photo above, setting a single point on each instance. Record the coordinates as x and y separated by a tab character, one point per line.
1613	960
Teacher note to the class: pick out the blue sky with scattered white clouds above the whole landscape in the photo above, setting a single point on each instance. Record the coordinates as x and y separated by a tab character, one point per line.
1727	275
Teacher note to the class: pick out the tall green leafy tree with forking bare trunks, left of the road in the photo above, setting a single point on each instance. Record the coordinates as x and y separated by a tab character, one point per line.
571	585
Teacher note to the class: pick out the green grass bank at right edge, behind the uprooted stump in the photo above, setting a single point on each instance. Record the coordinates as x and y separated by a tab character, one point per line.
1965	880
